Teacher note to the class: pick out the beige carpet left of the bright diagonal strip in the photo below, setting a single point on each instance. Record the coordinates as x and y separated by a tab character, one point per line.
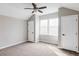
28	49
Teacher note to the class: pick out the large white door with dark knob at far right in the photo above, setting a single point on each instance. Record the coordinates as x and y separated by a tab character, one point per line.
69	31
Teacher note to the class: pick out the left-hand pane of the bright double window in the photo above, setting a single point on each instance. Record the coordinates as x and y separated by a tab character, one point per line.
44	27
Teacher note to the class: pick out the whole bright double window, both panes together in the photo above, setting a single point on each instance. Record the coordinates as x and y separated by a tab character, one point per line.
49	27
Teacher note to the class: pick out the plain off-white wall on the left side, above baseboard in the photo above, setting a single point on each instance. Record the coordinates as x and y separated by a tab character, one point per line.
12	31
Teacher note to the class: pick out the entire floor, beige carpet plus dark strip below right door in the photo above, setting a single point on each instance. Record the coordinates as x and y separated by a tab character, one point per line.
36	49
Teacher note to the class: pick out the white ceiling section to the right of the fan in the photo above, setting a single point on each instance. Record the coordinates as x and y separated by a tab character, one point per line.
53	7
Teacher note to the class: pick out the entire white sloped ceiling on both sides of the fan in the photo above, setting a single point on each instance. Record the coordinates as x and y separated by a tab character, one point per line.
17	9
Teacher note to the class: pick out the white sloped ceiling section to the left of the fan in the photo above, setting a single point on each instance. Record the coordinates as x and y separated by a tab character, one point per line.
15	10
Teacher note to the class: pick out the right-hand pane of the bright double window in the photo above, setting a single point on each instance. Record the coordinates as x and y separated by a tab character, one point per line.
53	26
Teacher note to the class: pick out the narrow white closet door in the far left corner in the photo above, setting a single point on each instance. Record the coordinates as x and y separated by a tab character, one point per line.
31	31
